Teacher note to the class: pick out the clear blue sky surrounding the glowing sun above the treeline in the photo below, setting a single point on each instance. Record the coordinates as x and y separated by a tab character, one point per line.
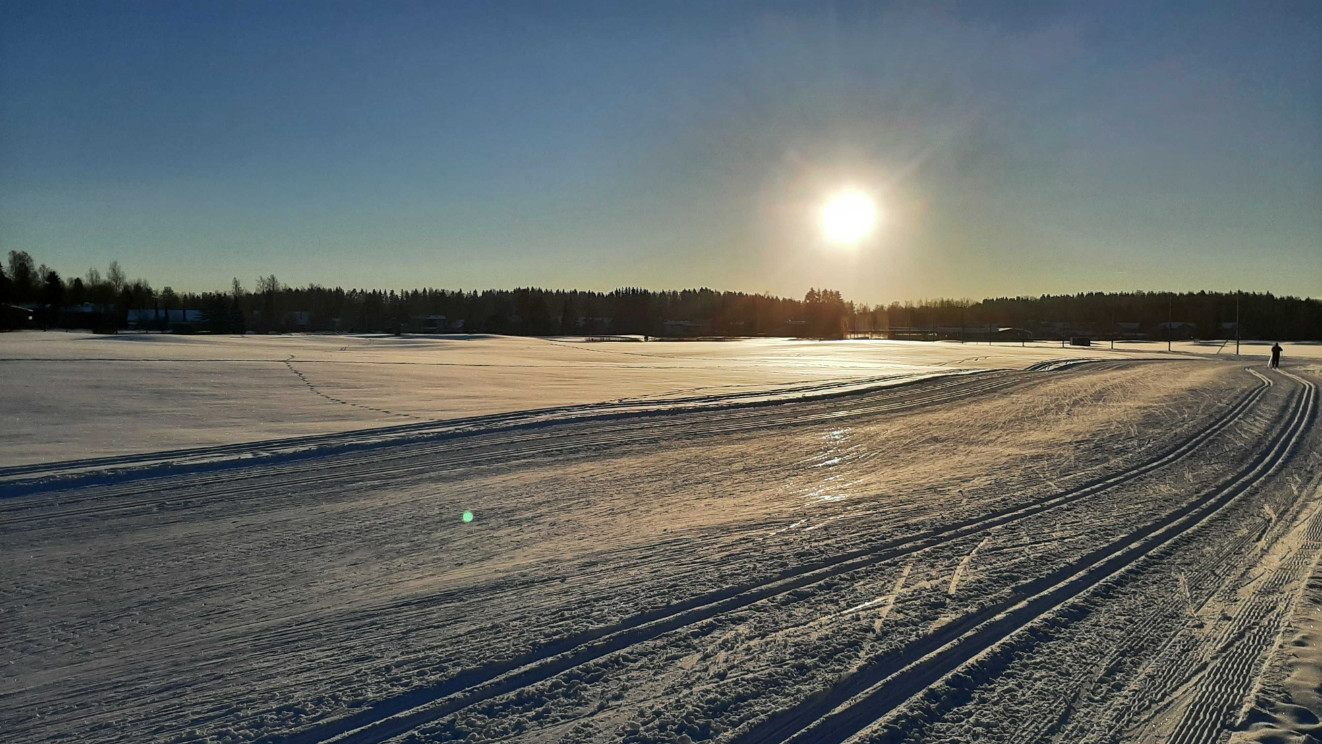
1025	149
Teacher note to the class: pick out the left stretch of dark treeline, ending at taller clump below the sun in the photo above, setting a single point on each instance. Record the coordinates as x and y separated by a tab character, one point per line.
112	301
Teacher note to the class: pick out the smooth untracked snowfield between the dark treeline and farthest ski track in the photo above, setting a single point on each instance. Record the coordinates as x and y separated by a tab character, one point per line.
77	396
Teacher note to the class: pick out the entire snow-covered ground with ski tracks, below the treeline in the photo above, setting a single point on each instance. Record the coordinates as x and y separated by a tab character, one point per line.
1020	552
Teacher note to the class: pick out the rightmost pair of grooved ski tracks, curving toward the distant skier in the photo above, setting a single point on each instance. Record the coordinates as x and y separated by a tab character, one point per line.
864	698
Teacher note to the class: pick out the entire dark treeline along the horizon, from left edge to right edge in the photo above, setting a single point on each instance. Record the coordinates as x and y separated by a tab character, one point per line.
40	297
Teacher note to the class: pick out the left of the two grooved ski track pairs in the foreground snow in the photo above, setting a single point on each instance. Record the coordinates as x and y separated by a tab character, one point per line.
405	713
